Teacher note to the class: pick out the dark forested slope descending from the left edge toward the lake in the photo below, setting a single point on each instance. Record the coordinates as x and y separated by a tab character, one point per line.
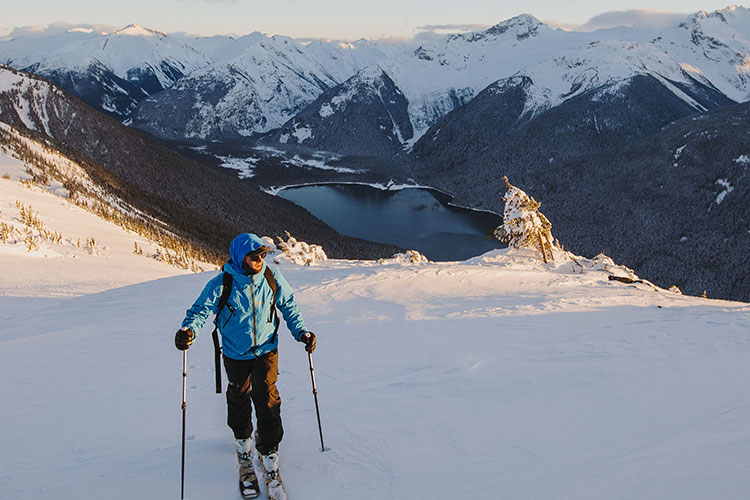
196	201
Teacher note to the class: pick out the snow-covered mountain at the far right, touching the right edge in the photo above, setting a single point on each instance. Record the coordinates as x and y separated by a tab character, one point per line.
703	59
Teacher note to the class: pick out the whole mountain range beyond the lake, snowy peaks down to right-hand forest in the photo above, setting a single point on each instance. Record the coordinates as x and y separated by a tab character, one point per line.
585	122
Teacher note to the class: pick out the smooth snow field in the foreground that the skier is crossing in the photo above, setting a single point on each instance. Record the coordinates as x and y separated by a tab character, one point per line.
498	377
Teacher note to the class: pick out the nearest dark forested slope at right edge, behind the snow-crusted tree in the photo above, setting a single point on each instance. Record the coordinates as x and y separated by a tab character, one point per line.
649	197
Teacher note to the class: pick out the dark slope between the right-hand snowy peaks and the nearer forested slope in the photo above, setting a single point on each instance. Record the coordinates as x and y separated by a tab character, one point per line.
495	129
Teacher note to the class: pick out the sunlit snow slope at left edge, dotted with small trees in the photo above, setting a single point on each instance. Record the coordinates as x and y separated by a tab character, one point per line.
70	266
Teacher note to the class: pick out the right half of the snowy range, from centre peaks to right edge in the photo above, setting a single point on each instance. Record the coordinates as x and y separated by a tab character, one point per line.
704	61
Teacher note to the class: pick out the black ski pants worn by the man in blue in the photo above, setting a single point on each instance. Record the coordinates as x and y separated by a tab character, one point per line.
252	382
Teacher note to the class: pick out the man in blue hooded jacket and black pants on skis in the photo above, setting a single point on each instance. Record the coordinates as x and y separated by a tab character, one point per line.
248	327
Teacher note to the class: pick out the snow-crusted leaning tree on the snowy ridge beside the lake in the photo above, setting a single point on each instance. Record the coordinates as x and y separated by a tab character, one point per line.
523	224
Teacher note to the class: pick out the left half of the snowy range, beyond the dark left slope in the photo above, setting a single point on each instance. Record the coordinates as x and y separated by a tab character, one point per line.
249	84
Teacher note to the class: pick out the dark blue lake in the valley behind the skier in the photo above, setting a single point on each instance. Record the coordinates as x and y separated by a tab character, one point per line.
417	219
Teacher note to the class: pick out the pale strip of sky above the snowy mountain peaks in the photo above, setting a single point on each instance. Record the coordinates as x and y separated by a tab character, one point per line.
334	19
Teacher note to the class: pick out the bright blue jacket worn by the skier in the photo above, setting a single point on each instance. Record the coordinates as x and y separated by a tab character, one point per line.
248	331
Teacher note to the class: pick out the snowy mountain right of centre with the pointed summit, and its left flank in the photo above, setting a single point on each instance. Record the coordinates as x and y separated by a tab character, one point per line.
434	78
